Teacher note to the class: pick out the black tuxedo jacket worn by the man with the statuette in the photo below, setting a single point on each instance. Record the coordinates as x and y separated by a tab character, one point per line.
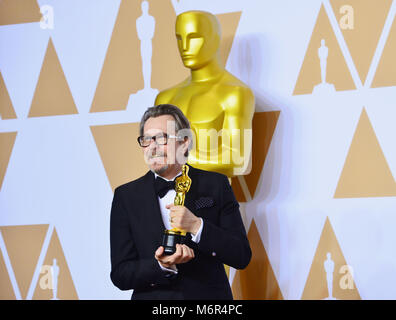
136	230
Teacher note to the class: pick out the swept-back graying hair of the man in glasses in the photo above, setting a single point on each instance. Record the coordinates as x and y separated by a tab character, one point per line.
181	122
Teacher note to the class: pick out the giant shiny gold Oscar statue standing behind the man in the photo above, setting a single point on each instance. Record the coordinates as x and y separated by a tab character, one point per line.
219	106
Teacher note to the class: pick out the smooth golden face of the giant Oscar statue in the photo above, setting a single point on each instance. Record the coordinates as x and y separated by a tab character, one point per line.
196	40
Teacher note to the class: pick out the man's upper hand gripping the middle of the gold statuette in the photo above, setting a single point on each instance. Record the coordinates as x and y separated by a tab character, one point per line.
184	219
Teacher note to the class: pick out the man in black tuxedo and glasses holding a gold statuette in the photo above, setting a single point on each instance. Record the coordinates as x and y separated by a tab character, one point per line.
142	209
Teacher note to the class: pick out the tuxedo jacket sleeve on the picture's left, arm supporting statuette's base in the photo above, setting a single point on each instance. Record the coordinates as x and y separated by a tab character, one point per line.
128	271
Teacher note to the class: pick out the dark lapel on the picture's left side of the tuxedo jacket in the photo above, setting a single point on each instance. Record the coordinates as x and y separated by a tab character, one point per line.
151	212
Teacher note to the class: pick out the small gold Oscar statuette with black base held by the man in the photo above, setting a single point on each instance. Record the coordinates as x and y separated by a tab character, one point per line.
174	236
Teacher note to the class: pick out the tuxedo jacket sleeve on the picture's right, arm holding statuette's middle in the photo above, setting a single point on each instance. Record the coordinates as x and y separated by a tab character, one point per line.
226	240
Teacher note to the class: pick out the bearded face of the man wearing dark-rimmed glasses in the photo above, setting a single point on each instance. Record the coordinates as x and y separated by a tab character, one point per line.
162	158
